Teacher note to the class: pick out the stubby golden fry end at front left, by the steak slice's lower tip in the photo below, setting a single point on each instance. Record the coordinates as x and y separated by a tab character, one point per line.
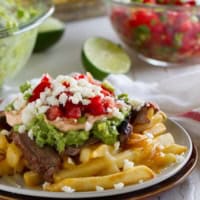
32	179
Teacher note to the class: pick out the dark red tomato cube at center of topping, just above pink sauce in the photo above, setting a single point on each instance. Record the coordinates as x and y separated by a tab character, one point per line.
72	110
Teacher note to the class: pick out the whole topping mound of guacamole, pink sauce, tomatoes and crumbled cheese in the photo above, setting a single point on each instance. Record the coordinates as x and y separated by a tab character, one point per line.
70	111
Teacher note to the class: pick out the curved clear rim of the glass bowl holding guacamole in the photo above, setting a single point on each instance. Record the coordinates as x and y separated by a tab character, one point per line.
31	24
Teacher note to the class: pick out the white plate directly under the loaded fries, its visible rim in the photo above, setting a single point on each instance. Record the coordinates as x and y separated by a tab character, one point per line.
181	137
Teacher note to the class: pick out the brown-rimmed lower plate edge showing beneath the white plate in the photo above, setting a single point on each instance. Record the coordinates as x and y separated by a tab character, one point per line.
137	195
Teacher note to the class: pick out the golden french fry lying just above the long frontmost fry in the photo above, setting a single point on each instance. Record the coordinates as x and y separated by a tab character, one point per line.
90	168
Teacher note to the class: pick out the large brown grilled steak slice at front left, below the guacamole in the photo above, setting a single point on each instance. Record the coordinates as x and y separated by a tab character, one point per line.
45	161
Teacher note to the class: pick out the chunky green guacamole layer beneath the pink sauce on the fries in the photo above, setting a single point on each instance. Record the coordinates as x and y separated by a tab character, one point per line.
46	134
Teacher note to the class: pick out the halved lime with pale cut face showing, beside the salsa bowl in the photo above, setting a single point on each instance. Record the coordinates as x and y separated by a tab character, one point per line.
102	57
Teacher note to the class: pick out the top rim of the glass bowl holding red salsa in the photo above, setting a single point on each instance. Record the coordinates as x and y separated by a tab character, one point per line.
154	6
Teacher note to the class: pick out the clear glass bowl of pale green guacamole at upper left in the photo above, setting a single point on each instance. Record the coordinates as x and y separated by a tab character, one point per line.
19	22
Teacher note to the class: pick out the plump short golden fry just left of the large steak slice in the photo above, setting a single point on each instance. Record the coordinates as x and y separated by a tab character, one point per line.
13	155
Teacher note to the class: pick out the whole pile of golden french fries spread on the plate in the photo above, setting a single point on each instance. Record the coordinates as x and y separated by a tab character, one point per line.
150	149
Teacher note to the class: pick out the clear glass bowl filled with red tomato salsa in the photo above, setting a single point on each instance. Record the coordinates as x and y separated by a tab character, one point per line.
161	35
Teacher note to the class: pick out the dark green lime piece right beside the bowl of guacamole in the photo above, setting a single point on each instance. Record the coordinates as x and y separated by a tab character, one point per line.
50	32
